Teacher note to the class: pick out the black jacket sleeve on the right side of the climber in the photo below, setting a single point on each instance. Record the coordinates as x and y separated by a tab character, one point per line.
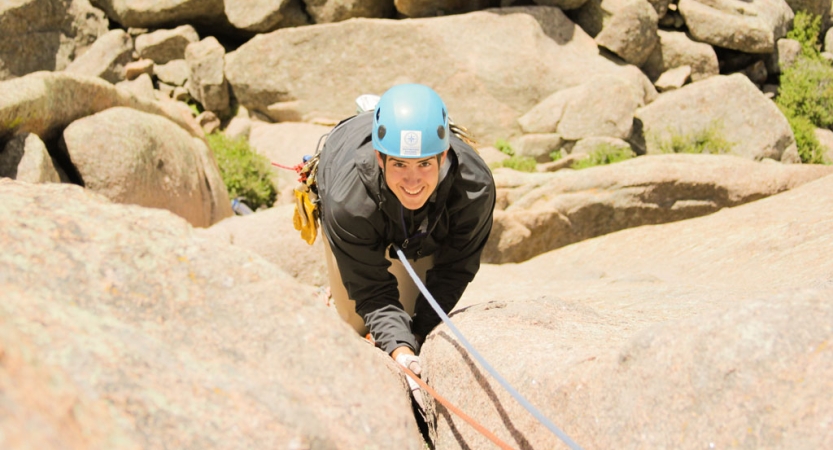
470	209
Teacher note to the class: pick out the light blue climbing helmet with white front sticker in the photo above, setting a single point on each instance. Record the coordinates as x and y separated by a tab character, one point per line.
410	121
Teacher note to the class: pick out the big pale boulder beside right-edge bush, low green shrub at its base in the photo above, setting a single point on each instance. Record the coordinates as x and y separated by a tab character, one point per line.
729	106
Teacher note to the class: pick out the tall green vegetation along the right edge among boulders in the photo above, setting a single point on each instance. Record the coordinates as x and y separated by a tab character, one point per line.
806	93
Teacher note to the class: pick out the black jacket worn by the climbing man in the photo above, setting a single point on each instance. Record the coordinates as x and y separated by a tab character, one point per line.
361	218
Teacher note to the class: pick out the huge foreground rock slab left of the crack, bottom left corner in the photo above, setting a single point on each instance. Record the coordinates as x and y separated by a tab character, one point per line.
120	328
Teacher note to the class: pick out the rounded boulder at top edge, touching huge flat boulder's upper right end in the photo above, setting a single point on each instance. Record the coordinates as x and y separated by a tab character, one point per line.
627	28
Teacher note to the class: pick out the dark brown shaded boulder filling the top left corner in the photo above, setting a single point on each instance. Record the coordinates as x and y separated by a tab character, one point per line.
40	35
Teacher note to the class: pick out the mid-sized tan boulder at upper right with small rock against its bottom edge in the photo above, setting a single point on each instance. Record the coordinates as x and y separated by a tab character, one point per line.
677	49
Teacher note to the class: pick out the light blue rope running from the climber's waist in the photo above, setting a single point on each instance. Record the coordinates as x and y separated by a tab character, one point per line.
520	398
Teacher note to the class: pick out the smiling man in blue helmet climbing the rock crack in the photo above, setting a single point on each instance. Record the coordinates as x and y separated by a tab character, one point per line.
397	176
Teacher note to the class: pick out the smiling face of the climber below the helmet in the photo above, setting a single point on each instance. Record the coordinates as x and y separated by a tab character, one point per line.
411	180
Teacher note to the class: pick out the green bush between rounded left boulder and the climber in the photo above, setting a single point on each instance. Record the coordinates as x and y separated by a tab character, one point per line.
246	173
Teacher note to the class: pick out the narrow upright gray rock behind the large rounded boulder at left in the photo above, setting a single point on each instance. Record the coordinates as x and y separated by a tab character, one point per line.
206	80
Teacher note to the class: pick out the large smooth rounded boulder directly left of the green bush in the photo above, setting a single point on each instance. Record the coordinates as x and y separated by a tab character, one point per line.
139	158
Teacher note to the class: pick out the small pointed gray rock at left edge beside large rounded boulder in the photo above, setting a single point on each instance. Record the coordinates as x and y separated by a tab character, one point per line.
26	158
